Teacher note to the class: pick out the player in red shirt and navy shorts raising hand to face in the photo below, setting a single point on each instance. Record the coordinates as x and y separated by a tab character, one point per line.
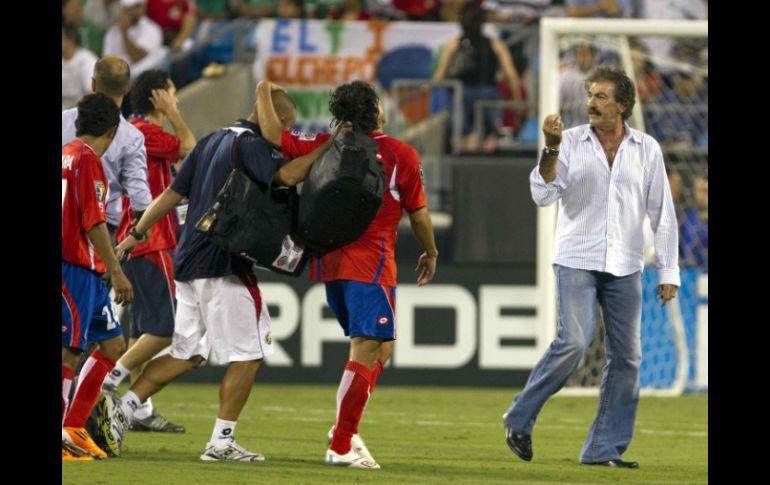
150	268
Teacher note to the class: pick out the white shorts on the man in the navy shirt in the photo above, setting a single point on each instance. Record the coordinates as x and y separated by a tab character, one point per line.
225	315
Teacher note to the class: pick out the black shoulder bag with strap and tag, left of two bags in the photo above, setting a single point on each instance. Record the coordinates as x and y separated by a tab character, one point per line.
255	221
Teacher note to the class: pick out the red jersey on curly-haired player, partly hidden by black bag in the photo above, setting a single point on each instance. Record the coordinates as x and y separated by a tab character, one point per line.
371	257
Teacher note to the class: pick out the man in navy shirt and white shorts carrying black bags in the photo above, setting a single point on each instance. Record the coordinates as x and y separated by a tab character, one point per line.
219	305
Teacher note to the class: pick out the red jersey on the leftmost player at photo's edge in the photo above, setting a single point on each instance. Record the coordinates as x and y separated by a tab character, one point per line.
83	200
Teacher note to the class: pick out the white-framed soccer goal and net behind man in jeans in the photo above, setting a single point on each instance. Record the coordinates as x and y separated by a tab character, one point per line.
669	62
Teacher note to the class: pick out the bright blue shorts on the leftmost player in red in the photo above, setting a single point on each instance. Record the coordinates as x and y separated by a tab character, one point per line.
86	309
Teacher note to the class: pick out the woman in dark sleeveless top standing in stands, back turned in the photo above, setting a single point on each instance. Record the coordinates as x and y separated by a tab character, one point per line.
474	59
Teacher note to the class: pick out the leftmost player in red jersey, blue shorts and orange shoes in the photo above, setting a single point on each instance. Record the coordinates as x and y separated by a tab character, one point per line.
87	314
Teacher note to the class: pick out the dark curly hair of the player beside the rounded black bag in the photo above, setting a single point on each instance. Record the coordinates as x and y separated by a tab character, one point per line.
357	103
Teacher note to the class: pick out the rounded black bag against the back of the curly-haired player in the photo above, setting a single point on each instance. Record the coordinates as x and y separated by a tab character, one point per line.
341	195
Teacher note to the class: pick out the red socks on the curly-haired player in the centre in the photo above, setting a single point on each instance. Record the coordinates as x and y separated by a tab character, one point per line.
352	395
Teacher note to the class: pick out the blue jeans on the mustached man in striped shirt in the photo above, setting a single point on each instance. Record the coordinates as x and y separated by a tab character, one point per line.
621	301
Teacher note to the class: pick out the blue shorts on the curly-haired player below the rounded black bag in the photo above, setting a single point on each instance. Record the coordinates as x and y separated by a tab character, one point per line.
363	309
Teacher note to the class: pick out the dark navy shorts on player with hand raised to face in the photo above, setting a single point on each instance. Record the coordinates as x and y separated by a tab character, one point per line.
154	306
